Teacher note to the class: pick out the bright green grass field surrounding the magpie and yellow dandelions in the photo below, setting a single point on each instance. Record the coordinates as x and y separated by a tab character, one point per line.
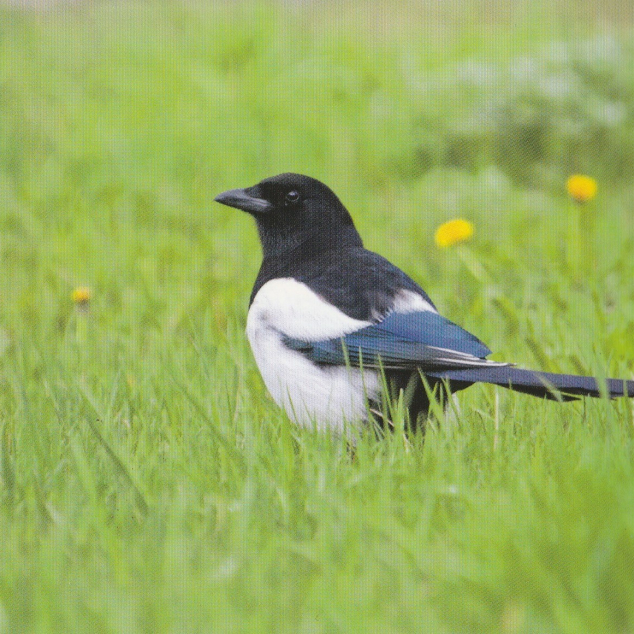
147	481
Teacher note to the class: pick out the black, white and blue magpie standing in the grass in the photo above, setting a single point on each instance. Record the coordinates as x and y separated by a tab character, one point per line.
334	326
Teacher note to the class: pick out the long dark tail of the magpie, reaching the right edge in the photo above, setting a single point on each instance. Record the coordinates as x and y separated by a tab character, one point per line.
543	384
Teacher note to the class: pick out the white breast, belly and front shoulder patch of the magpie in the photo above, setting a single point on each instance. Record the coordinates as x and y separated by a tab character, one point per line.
326	396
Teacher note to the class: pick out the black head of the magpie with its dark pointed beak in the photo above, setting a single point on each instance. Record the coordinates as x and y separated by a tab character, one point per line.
294	211
